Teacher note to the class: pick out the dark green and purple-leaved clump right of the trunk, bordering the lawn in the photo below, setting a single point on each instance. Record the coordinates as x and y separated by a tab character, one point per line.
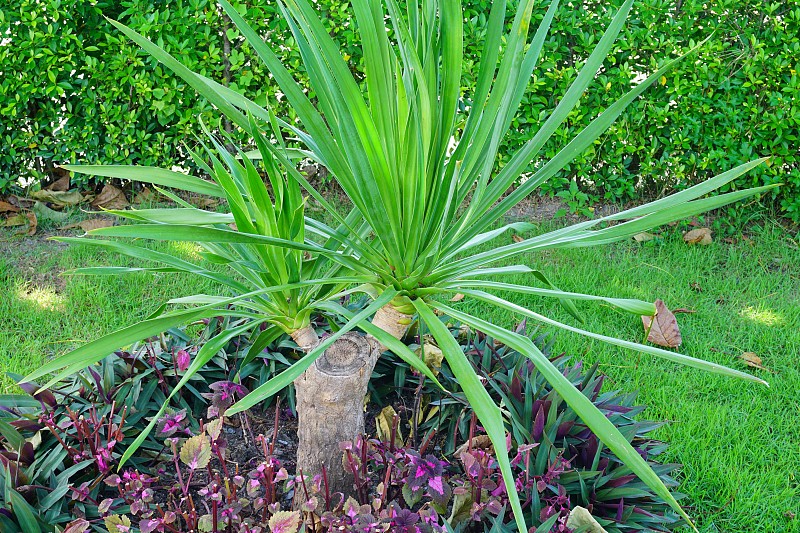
558	462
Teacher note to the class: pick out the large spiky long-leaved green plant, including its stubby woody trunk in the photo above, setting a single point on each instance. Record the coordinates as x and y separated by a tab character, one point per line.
426	195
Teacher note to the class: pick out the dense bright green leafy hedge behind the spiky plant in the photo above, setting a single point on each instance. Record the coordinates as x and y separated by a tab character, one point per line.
72	89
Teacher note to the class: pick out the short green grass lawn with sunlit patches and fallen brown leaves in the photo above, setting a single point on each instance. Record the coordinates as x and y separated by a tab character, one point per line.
739	442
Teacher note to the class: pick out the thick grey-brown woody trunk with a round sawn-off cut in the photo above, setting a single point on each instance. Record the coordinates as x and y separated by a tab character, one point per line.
330	399
